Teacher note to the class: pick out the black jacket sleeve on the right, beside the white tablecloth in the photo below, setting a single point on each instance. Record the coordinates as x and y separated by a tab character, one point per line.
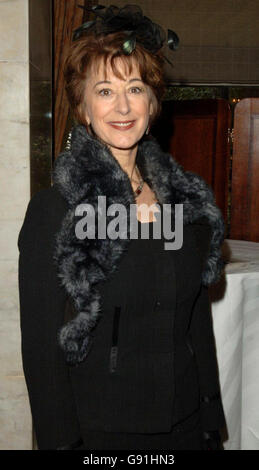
203	341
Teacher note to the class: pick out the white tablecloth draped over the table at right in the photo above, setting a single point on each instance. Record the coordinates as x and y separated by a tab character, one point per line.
235	311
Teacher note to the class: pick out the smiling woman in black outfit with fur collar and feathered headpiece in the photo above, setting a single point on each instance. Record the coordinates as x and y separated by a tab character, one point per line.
117	337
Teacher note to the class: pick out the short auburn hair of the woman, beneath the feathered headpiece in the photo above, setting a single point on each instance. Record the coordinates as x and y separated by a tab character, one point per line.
89	52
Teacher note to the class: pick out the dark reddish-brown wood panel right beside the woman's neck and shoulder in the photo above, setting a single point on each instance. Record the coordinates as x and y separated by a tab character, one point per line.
195	132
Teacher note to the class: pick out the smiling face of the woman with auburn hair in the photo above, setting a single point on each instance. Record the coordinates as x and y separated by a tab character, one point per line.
117	109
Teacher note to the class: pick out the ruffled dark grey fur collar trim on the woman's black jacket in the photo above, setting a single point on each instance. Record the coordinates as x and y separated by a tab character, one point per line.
88	170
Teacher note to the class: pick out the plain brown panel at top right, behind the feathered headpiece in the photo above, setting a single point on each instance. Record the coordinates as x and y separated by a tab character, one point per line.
219	40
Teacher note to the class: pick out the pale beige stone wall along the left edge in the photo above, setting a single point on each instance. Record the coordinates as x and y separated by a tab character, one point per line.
15	417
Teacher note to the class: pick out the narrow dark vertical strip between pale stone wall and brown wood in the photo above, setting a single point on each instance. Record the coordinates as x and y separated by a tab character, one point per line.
40	60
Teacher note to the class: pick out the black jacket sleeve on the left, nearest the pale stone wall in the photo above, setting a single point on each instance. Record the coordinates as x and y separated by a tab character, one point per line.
42	305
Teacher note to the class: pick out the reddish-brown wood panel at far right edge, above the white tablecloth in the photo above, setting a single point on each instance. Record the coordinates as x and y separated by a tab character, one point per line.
244	221
